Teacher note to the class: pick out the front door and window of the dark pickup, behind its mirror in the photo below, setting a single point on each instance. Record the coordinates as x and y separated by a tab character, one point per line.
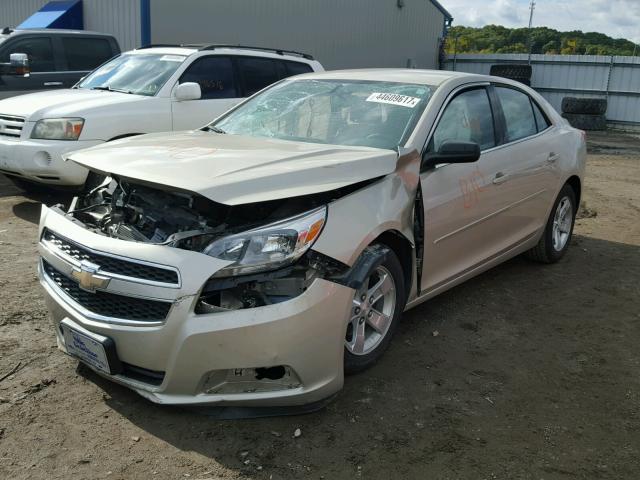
43	60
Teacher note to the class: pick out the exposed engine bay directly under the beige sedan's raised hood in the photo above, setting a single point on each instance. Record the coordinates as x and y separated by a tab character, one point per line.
122	209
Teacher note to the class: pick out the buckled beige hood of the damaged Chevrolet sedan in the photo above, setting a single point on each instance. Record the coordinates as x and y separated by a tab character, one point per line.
235	169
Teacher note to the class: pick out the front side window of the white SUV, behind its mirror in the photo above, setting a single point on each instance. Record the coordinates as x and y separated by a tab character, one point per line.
214	75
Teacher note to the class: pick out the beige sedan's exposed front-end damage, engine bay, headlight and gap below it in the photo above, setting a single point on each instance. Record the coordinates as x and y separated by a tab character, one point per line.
267	244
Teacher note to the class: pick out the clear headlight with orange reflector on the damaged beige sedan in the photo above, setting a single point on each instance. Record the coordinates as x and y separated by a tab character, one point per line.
269	247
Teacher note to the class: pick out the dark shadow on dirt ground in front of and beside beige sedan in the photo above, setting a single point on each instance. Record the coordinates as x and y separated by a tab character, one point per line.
522	372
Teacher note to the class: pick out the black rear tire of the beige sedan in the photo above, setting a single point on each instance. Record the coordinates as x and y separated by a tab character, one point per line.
547	251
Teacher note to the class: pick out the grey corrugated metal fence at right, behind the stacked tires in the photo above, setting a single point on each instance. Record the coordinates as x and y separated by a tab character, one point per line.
559	76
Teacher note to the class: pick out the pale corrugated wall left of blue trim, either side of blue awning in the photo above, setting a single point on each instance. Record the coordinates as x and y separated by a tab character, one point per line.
120	18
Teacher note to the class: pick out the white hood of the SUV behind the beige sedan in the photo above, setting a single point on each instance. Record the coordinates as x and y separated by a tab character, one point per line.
63	103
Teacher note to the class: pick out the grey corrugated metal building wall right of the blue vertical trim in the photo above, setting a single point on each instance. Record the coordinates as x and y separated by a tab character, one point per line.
339	33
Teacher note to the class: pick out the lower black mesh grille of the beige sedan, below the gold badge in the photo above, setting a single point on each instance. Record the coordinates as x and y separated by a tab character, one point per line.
108	304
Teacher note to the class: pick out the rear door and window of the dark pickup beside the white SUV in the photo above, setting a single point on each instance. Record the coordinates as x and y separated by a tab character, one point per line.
81	55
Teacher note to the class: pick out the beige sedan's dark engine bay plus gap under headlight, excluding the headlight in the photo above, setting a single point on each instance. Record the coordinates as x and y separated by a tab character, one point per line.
132	211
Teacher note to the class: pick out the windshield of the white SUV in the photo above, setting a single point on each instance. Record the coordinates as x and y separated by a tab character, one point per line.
138	74
